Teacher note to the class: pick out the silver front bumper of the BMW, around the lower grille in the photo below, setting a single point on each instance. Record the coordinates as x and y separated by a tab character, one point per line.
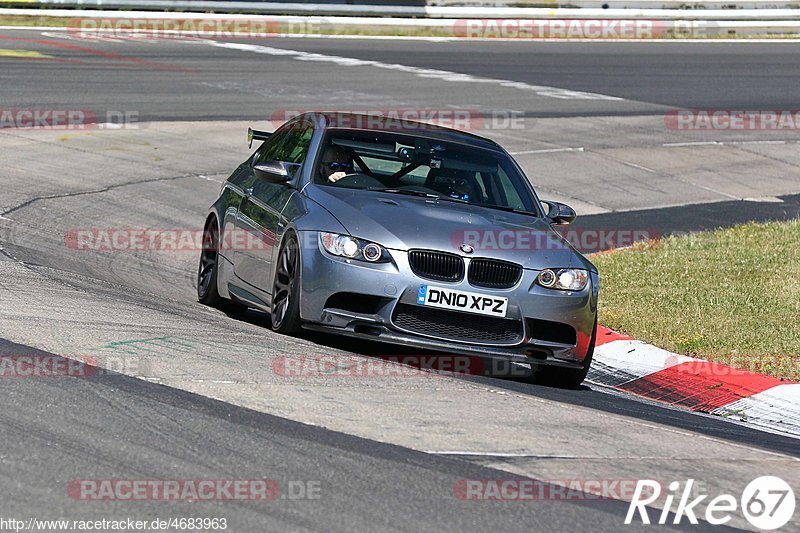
394	284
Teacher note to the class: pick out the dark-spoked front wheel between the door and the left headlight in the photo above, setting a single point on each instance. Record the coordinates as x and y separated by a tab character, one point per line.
285	314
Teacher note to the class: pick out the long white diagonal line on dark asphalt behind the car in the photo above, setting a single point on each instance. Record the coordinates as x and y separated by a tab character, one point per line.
444	75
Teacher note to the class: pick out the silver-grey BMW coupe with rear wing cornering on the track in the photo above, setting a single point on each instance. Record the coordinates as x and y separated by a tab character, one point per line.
405	233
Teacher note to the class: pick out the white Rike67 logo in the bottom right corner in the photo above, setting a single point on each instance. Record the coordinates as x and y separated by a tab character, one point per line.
767	502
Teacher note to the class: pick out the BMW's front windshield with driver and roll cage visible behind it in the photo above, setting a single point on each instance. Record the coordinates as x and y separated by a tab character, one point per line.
420	166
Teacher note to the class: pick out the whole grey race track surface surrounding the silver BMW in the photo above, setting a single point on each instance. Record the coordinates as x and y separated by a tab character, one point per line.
386	452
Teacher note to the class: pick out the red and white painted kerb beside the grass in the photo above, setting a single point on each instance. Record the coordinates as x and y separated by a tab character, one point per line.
636	367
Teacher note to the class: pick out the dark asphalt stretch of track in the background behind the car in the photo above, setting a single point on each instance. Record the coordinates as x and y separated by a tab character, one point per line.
191	81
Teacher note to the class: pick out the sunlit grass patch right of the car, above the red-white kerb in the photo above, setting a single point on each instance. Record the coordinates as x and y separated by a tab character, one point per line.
730	295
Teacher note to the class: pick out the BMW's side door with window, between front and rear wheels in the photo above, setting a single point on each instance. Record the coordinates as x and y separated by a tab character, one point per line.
260	210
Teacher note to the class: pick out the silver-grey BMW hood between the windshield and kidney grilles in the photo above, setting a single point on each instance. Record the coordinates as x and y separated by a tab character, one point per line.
403	222
